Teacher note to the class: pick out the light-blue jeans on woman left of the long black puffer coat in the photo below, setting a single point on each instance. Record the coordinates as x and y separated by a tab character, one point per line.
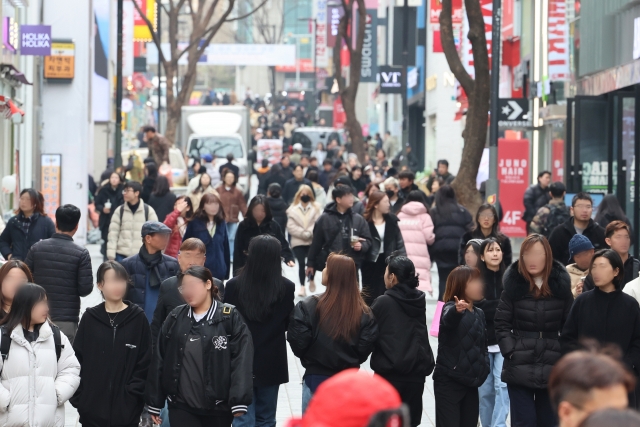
494	396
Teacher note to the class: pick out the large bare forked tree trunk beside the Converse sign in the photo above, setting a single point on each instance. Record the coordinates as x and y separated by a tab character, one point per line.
477	90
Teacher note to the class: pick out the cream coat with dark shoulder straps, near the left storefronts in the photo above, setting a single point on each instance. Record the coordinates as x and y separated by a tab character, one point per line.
126	238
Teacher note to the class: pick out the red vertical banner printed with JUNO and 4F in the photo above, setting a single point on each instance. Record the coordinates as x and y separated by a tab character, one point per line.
513	174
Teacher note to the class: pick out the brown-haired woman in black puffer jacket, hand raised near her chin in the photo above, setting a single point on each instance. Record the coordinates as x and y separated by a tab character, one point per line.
463	363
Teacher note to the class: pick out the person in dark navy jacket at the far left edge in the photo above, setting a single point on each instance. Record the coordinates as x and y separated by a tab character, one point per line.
30	225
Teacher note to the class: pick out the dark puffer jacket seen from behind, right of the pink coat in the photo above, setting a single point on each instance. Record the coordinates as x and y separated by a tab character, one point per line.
449	229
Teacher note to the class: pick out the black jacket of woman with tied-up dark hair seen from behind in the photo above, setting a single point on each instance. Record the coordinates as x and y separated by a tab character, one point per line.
402	351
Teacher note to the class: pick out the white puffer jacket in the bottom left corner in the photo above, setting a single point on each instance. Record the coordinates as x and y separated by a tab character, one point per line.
33	386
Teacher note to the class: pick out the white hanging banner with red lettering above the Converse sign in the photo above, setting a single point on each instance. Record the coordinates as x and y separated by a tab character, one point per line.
558	41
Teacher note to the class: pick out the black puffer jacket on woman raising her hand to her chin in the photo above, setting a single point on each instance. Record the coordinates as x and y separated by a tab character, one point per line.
462	346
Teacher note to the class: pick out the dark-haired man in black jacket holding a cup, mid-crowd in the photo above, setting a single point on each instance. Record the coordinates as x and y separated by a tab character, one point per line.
339	230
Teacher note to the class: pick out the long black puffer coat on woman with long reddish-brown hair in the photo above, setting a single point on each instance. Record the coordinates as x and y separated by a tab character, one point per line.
528	329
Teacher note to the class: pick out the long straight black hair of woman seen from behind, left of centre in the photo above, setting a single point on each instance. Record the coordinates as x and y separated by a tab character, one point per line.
260	283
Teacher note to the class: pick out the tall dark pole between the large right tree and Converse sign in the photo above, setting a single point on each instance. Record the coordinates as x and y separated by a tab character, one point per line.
493	186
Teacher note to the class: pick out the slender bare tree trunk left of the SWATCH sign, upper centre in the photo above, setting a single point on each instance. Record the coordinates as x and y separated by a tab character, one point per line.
348	92
